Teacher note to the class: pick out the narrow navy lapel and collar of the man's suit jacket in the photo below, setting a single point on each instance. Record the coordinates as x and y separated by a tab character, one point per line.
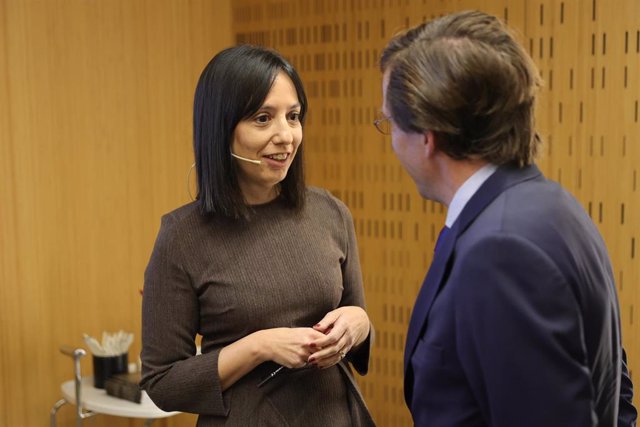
502	179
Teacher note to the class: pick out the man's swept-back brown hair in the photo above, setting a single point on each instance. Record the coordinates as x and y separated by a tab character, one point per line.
465	77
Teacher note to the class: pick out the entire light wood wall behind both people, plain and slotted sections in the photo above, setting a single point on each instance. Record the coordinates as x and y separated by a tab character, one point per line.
95	144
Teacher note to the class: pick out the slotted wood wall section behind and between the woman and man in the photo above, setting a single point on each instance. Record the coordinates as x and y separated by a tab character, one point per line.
588	52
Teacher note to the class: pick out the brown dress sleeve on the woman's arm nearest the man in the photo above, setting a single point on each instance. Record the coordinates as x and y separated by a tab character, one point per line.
353	293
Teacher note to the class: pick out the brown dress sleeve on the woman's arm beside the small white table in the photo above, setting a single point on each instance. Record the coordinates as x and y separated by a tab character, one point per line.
173	376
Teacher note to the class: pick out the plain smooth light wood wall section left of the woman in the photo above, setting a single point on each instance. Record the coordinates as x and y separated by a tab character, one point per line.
95	145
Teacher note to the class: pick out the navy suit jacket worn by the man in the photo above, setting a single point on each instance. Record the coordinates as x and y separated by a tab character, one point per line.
517	322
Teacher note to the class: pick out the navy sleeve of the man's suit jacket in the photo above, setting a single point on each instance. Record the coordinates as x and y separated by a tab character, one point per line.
519	336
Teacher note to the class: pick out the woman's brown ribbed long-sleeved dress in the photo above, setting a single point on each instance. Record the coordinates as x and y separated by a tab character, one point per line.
226	279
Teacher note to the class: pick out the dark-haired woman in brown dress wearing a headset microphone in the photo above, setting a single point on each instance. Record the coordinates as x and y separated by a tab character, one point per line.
264	268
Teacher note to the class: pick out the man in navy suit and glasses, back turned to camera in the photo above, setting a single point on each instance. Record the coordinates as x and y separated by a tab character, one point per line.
517	322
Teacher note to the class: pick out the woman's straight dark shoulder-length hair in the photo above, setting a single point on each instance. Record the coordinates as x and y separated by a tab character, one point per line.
232	87
